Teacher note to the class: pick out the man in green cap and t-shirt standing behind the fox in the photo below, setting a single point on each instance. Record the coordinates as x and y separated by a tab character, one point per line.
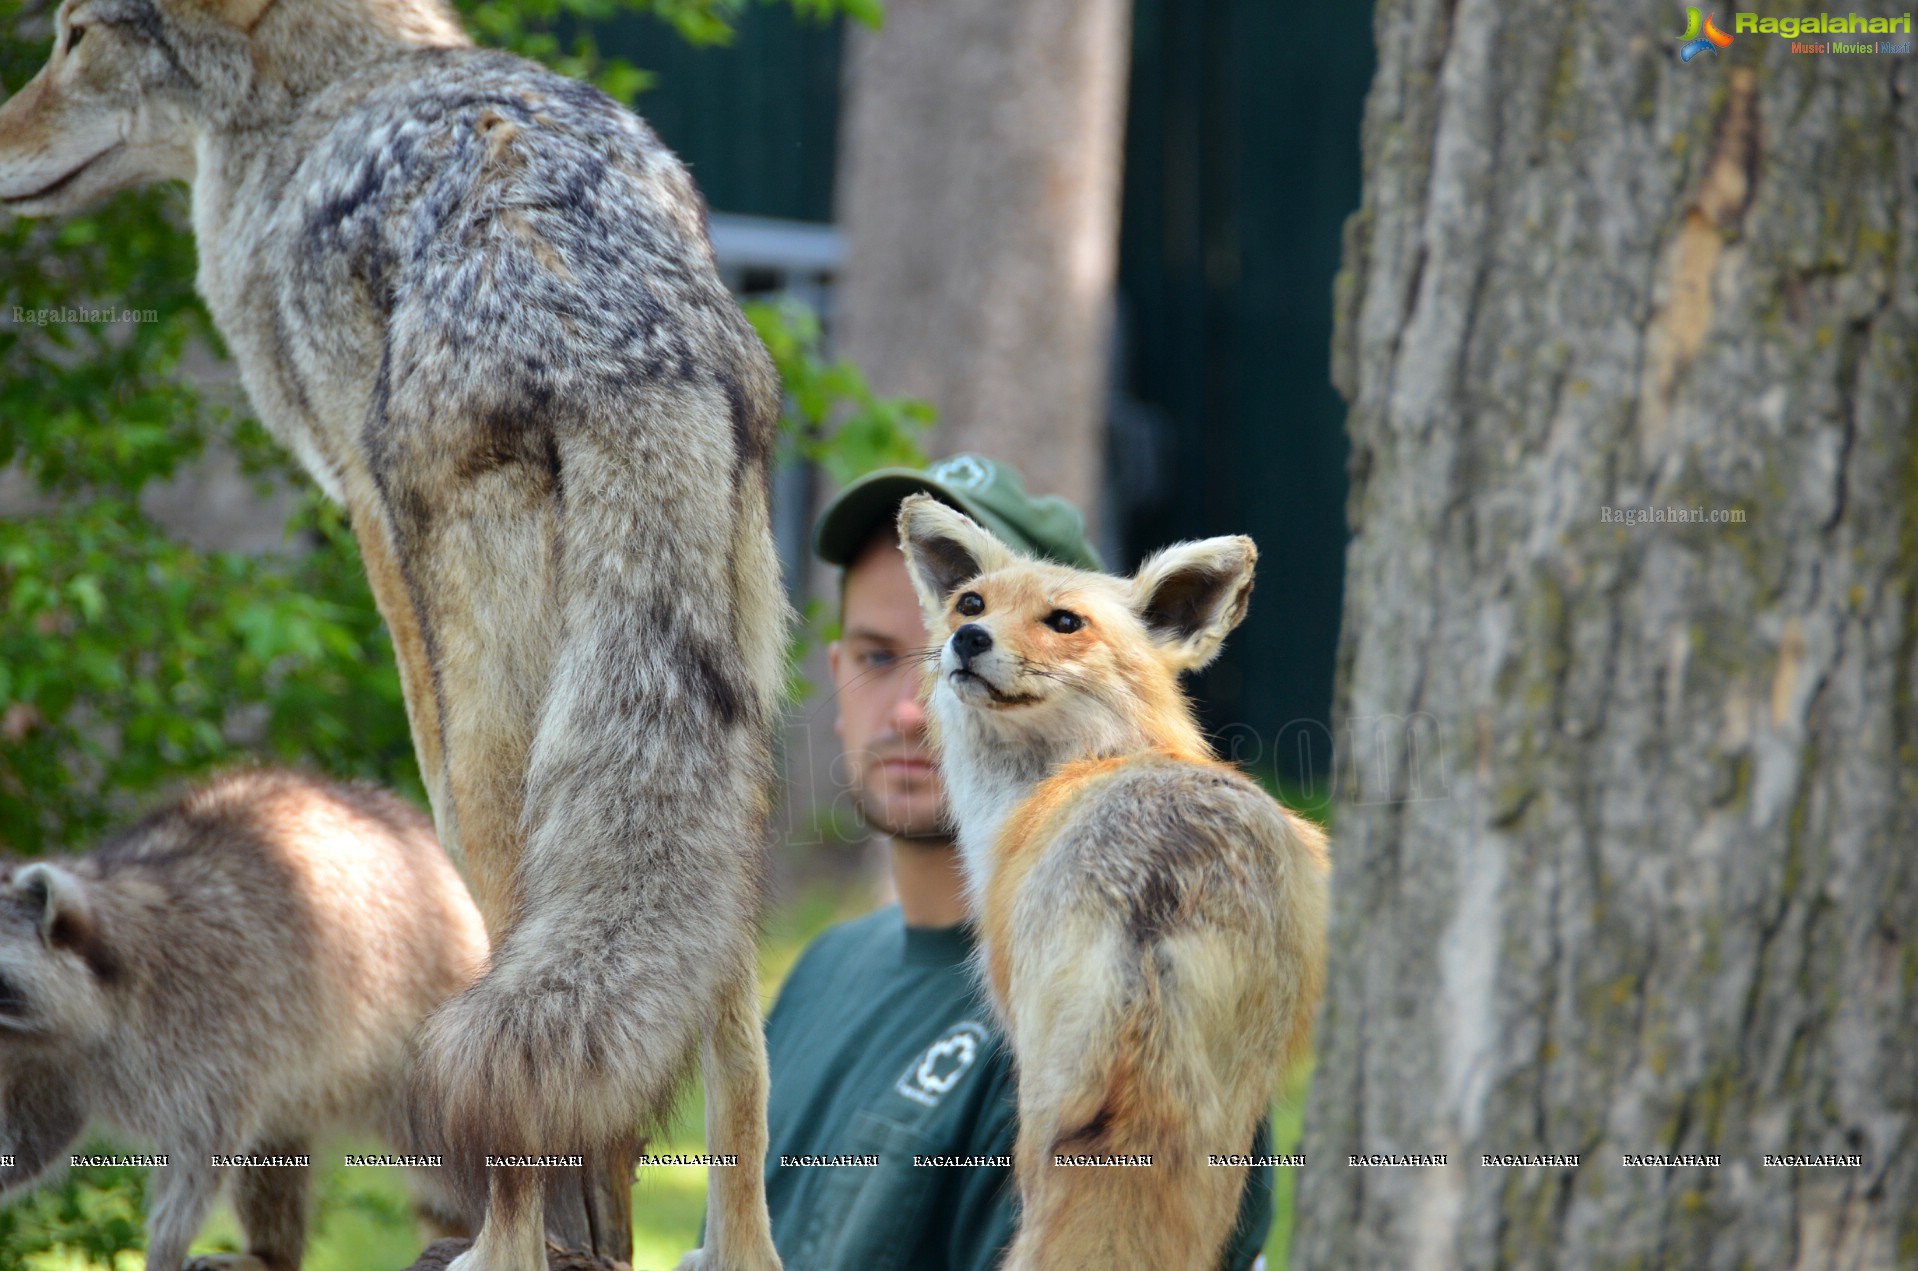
893	1099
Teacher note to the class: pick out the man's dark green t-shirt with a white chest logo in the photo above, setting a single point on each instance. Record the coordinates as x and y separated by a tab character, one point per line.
881	1048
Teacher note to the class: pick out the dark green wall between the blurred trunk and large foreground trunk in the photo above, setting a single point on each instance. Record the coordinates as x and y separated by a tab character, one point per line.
1242	164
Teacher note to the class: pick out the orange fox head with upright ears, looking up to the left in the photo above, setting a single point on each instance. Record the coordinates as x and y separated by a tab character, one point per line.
1065	662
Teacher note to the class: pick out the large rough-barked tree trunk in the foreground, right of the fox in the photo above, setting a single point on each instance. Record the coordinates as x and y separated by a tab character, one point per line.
1626	856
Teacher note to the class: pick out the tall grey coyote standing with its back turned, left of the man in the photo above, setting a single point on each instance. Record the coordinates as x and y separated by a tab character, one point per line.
479	302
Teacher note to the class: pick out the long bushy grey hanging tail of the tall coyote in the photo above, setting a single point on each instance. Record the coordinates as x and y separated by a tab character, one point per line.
645	812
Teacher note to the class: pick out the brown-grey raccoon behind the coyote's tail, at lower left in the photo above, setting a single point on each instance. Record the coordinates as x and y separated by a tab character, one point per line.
241	975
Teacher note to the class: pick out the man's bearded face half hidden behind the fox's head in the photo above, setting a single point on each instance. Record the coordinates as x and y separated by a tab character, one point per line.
877	672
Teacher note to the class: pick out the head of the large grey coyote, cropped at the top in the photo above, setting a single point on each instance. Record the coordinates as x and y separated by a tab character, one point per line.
133	83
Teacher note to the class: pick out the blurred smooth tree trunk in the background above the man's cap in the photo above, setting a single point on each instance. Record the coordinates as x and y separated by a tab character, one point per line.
979	191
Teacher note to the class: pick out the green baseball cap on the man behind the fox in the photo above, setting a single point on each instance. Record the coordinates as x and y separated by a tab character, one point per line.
987	492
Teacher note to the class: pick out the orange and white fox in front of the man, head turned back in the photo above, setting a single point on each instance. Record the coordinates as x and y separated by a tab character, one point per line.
1152	923
